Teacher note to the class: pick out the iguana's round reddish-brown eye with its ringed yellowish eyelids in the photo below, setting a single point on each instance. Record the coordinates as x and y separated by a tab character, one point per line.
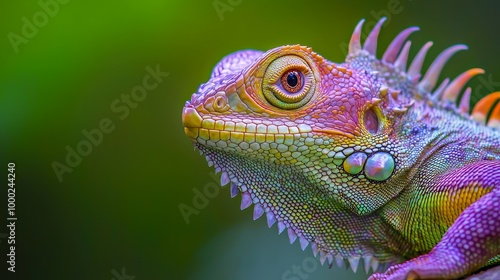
288	82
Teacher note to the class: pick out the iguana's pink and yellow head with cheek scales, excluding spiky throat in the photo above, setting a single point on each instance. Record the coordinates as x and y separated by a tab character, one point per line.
289	106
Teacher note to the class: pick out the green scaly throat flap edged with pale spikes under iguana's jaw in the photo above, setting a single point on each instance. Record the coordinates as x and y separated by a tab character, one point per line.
292	201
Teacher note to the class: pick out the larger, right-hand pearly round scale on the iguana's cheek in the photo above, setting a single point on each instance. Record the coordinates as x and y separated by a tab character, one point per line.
379	166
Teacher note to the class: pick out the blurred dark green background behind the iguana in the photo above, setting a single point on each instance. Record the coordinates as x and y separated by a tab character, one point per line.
119	207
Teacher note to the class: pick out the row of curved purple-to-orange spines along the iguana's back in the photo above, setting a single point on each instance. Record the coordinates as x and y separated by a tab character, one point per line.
395	59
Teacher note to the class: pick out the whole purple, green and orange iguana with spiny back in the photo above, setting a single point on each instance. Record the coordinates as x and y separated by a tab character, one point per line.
363	160
